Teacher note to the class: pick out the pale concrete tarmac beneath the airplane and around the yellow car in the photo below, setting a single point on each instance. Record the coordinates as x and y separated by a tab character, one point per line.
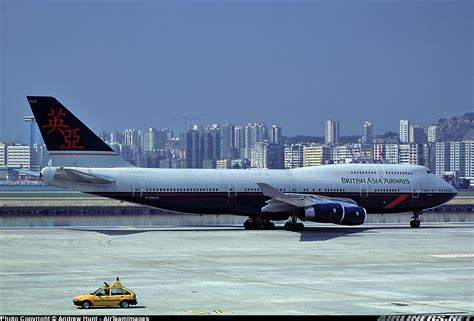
179	270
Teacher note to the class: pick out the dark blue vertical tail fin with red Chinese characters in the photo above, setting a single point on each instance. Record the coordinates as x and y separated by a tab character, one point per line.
68	140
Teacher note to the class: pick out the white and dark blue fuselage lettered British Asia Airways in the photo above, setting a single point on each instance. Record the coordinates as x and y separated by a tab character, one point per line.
380	188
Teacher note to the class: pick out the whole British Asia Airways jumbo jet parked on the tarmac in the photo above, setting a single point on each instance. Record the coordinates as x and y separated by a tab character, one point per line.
340	194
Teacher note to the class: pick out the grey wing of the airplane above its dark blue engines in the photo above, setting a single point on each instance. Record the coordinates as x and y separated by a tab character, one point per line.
282	202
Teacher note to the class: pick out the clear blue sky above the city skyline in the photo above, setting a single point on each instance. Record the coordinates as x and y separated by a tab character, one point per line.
296	64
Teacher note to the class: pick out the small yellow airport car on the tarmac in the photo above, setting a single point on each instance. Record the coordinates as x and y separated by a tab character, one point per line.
107	296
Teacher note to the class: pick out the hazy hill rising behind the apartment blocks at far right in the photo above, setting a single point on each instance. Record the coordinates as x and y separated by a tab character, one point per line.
456	128
